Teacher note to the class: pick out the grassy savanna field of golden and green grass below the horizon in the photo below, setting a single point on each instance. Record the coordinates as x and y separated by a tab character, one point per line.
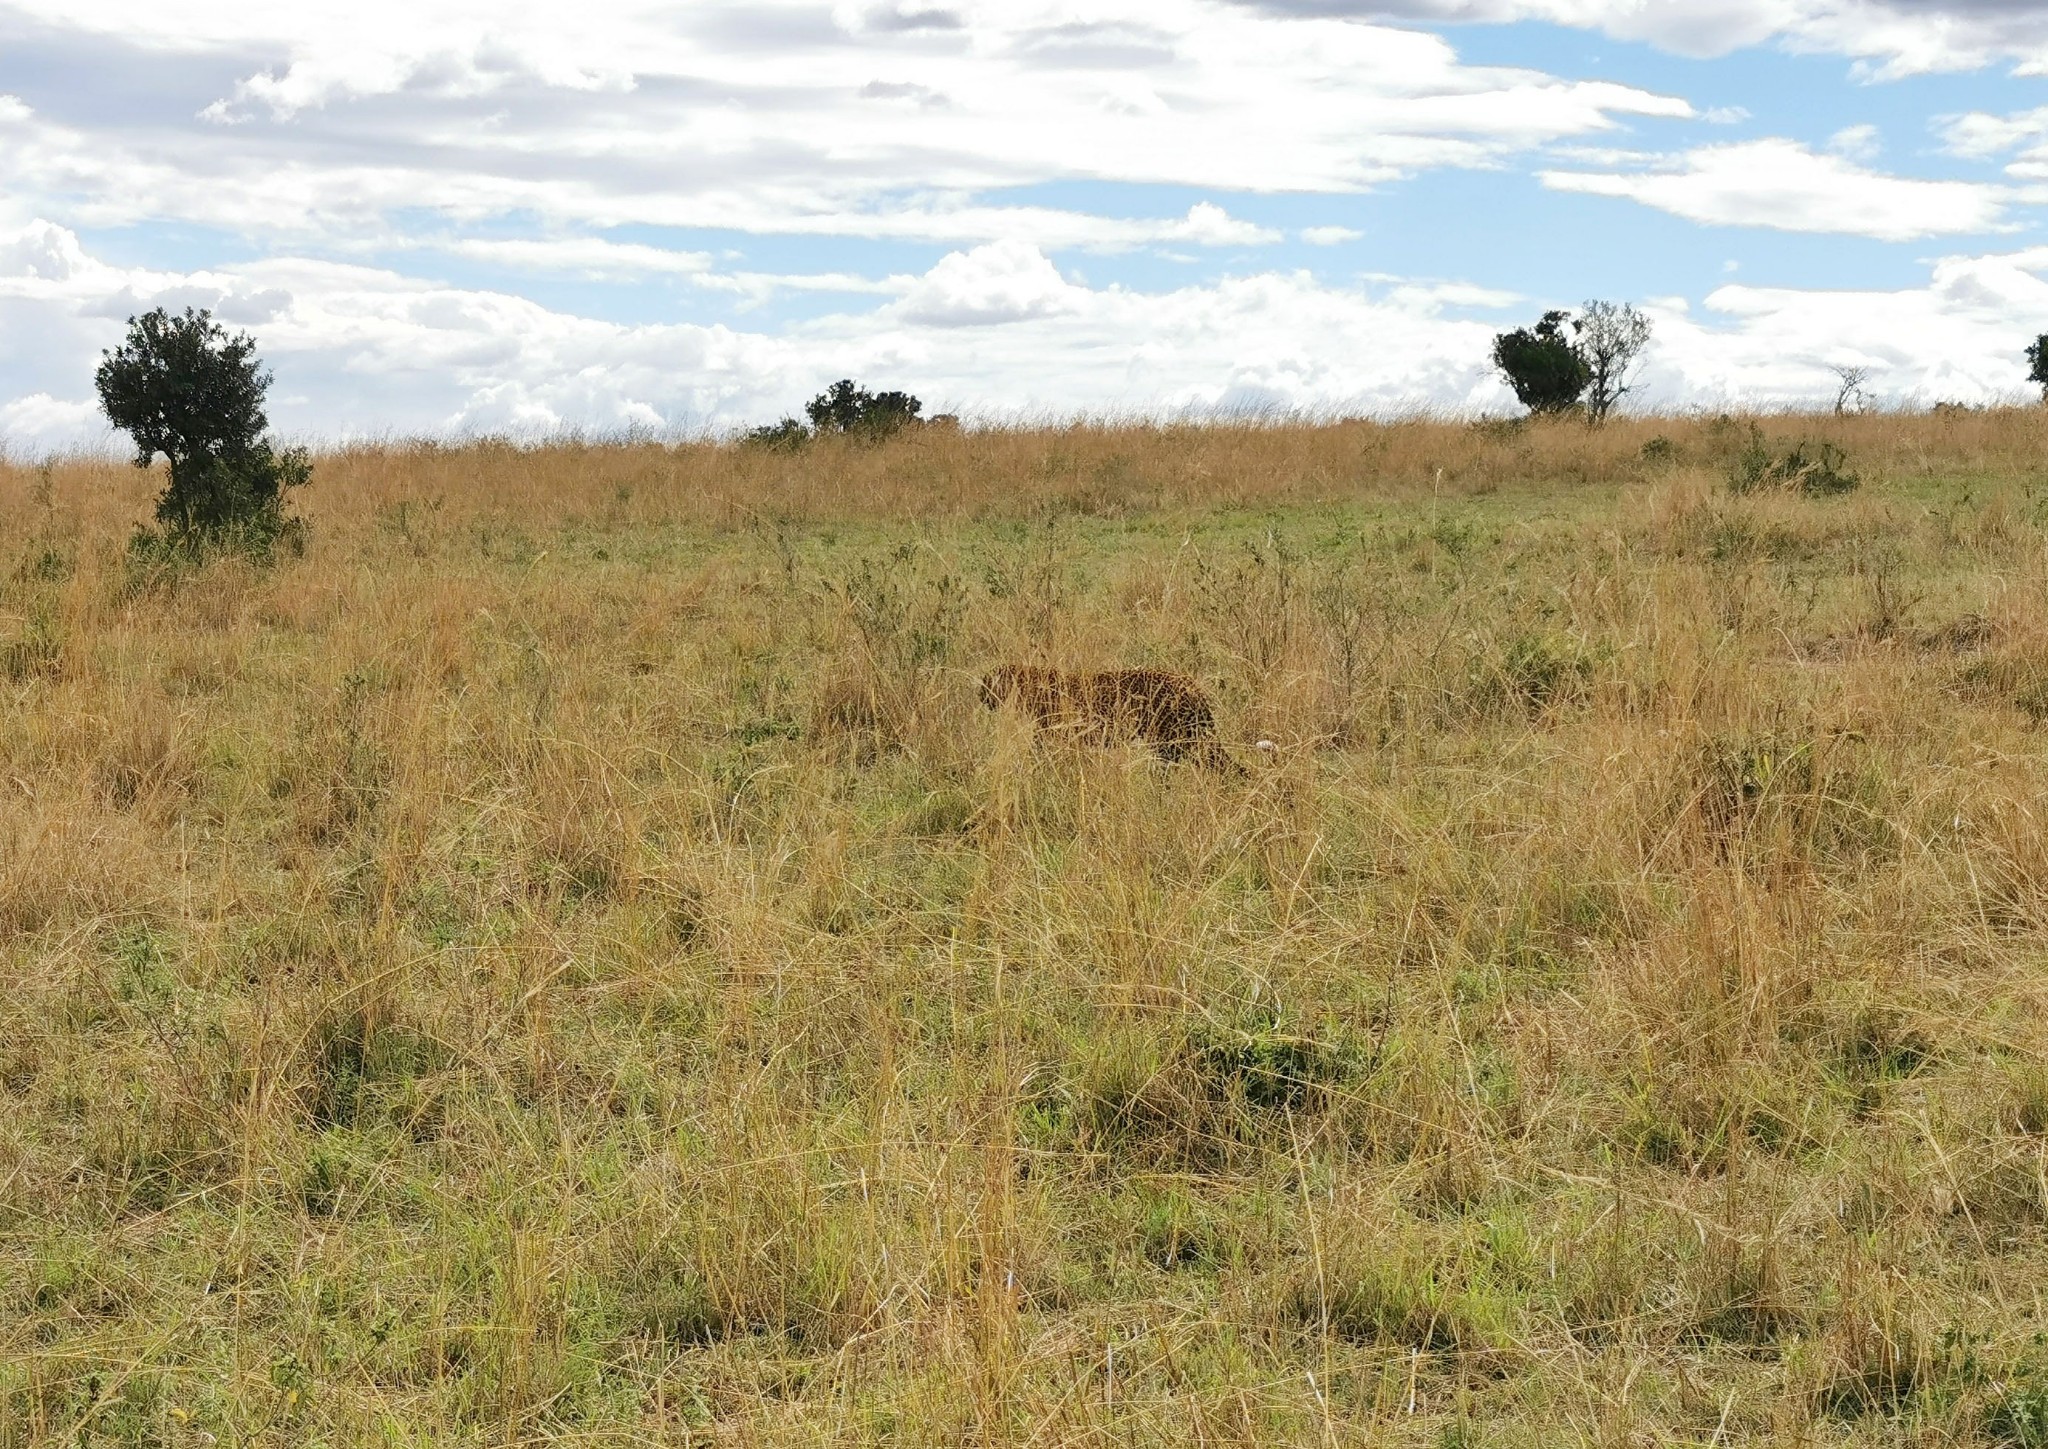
568	957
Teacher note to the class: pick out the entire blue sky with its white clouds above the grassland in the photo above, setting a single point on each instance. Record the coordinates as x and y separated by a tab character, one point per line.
464	216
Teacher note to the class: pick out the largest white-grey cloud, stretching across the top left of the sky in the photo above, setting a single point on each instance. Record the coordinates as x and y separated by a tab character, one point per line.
771	116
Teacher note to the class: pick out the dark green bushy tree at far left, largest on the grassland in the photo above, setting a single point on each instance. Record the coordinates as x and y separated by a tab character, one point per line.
189	390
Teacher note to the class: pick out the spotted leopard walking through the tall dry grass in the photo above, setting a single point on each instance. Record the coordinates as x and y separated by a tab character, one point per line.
1162	709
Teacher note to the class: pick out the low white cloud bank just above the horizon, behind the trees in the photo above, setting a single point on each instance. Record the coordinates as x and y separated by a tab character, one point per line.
992	331
